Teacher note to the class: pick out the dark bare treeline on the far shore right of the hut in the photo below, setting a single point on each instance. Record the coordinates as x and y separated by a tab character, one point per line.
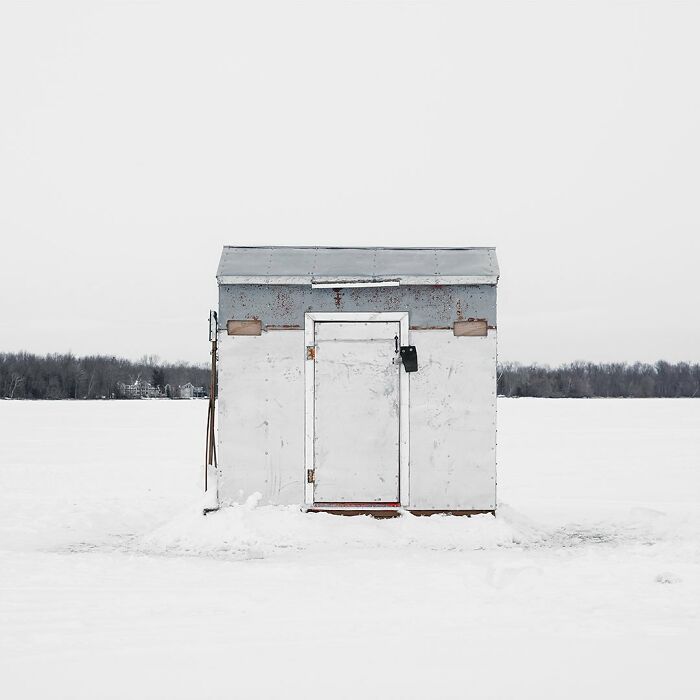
587	379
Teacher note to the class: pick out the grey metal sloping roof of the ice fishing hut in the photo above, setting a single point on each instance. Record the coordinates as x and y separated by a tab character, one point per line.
300	265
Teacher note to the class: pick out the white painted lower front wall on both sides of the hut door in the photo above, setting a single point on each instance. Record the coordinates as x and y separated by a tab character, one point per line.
452	419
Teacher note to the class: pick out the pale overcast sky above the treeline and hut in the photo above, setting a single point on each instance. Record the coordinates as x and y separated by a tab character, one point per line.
136	139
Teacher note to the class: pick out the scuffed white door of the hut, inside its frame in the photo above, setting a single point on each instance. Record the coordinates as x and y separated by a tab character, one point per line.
356	412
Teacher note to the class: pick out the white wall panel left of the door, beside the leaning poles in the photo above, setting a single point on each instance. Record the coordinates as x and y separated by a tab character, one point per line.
261	417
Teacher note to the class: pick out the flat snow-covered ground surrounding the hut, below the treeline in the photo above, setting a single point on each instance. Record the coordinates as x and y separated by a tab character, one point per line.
113	585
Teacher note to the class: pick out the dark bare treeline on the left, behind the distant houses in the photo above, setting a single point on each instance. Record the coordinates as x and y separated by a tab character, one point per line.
27	376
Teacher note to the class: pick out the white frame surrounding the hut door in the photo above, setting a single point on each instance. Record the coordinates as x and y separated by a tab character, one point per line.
400	317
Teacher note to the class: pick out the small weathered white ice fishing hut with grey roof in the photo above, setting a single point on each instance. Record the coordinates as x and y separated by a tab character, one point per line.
358	379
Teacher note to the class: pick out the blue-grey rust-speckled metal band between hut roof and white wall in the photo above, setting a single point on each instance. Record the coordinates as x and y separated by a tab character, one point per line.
284	306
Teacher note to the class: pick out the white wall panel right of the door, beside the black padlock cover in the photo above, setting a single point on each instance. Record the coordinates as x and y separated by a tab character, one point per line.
453	422
